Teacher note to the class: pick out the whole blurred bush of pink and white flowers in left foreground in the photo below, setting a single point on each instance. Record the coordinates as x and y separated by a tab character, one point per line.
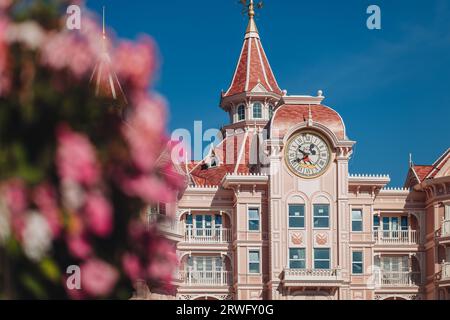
74	176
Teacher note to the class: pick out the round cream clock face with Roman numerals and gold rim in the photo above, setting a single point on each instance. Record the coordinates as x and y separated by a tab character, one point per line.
308	155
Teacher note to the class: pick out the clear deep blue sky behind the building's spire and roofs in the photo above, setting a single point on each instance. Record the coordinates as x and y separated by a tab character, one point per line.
391	86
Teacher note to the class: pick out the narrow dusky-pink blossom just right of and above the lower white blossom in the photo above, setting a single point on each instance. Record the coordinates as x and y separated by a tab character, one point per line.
45	198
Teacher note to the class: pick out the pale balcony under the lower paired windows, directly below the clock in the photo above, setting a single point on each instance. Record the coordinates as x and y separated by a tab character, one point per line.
312	277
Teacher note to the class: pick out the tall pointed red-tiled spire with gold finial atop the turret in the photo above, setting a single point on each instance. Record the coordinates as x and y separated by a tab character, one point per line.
253	68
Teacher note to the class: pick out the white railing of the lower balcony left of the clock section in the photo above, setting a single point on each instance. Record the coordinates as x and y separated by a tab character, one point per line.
205	278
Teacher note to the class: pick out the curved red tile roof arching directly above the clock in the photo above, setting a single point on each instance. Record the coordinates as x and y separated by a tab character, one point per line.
288	116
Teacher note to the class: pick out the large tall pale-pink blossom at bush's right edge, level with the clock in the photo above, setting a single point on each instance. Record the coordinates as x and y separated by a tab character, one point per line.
144	132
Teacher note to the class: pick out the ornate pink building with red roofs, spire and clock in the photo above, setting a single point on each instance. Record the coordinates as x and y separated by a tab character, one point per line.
273	212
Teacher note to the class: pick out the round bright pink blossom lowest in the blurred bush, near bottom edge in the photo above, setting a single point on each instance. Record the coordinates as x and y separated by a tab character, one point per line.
98	278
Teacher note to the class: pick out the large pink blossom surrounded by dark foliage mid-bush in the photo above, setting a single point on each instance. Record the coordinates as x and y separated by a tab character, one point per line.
76	159
